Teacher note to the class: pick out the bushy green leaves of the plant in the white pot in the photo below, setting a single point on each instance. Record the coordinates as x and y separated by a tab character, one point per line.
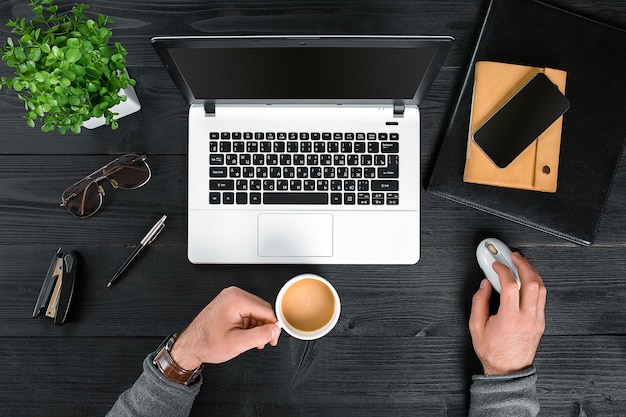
65	70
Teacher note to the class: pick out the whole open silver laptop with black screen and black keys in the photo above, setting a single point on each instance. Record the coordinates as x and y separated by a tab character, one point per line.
303	149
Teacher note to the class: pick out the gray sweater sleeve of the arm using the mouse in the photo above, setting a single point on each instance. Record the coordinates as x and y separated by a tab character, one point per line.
504	396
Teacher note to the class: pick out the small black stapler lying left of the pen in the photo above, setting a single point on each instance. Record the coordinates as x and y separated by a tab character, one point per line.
57	290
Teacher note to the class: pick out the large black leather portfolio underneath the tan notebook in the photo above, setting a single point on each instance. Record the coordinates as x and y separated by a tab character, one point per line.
533	33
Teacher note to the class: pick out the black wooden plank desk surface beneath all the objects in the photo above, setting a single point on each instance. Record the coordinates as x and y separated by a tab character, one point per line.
401	346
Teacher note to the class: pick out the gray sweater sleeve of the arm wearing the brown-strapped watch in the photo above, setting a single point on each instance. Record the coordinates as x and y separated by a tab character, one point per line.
154	395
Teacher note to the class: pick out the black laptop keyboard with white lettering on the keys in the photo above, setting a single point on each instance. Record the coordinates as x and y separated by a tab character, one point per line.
303	168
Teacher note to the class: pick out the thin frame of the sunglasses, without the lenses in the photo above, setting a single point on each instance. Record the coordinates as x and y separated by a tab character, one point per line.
100	174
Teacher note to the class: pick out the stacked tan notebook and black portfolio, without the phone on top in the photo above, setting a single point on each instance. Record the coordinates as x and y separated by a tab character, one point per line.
560	183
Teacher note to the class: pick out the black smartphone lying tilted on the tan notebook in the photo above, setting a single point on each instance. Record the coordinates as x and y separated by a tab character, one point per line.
521	120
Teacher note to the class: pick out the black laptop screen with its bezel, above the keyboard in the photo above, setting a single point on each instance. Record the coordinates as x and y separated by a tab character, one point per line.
302	70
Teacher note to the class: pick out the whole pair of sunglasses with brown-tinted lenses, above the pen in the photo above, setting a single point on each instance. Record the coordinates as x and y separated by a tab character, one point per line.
84	198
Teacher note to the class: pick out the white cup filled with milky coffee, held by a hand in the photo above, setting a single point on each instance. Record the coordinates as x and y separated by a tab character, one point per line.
307	307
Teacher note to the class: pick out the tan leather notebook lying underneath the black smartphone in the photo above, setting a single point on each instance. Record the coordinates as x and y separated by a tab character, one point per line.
536	168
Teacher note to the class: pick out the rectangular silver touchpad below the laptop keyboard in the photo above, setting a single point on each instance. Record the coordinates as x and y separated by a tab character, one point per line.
291	234
